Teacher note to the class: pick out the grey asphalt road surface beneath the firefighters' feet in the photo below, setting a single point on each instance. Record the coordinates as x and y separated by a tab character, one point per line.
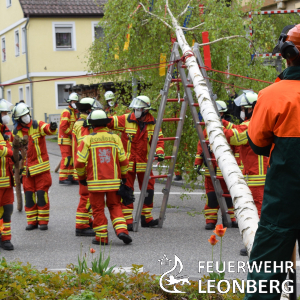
183	234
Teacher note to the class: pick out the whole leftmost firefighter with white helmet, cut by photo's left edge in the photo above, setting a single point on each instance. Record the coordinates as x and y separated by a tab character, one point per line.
6	176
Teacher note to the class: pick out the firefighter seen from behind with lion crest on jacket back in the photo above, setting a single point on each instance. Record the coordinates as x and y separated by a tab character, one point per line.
101	165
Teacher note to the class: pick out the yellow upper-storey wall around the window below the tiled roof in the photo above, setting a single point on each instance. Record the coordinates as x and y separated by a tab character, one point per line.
42	54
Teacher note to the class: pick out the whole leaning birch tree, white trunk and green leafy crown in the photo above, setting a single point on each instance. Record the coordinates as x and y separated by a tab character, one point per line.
150	38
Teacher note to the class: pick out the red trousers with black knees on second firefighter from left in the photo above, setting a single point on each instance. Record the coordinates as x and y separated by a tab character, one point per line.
36	198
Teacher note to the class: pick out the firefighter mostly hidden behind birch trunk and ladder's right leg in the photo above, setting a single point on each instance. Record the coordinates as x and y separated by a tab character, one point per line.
212	206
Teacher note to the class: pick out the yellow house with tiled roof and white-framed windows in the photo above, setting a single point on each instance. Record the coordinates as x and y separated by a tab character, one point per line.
45	41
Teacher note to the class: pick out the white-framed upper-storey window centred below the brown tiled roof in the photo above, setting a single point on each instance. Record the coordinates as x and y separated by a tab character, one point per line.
64	36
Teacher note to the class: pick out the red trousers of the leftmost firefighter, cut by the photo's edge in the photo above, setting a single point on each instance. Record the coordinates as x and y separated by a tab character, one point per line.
6	210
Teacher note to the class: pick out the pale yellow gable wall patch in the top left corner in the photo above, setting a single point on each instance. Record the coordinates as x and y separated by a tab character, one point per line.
10	15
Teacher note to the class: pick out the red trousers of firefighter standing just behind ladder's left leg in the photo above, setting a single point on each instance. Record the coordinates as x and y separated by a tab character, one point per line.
148	203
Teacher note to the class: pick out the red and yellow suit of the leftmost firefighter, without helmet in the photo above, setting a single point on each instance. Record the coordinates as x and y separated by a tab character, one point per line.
6	182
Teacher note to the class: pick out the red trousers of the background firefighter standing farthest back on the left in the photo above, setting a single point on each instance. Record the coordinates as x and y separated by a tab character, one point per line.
66	170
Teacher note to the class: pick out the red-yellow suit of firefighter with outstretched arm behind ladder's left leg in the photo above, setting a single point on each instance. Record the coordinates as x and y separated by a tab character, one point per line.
137	138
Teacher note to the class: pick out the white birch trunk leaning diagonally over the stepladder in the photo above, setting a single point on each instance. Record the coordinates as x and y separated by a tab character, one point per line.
245	208
